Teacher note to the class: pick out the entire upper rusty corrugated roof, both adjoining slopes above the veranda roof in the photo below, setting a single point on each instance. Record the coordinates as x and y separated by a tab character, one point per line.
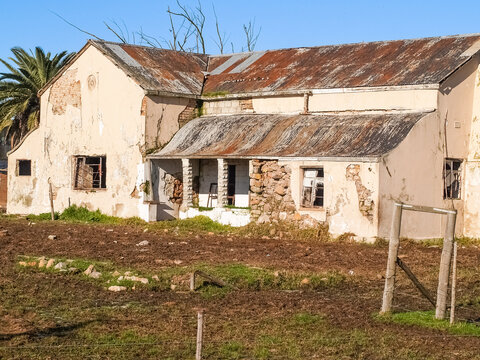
384	63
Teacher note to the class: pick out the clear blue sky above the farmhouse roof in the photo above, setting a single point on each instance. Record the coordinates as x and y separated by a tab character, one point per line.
284	23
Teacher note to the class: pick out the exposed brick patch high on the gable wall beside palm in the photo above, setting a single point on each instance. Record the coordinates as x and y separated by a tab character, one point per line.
65	91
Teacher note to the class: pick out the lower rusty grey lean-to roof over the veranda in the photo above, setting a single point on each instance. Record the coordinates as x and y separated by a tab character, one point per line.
251	136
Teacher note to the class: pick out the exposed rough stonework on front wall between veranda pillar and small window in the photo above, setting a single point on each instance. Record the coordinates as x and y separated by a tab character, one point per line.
270	196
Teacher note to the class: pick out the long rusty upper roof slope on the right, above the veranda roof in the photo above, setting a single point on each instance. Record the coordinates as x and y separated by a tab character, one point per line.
386	63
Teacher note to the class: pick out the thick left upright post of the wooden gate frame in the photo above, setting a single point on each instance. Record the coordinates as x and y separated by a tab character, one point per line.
392	258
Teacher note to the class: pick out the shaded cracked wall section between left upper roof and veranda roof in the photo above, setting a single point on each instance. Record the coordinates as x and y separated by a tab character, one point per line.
162	119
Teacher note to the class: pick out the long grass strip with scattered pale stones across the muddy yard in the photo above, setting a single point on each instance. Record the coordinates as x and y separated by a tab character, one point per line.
237	276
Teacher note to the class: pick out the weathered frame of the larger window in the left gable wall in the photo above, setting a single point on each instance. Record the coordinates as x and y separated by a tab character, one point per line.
101	173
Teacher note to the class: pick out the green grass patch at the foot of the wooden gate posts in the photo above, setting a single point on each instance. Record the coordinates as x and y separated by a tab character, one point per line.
427	319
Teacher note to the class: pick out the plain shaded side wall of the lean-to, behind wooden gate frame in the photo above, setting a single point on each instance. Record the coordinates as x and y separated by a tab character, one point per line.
412	174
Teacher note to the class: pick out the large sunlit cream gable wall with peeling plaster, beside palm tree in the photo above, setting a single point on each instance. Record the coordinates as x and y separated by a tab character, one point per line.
92	109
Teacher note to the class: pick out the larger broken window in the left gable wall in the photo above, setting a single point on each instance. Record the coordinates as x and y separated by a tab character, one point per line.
90	172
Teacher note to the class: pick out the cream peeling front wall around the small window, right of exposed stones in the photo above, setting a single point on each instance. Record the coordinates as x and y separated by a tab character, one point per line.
342	208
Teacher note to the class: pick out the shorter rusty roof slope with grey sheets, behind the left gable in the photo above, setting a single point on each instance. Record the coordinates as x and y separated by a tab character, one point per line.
158	69
